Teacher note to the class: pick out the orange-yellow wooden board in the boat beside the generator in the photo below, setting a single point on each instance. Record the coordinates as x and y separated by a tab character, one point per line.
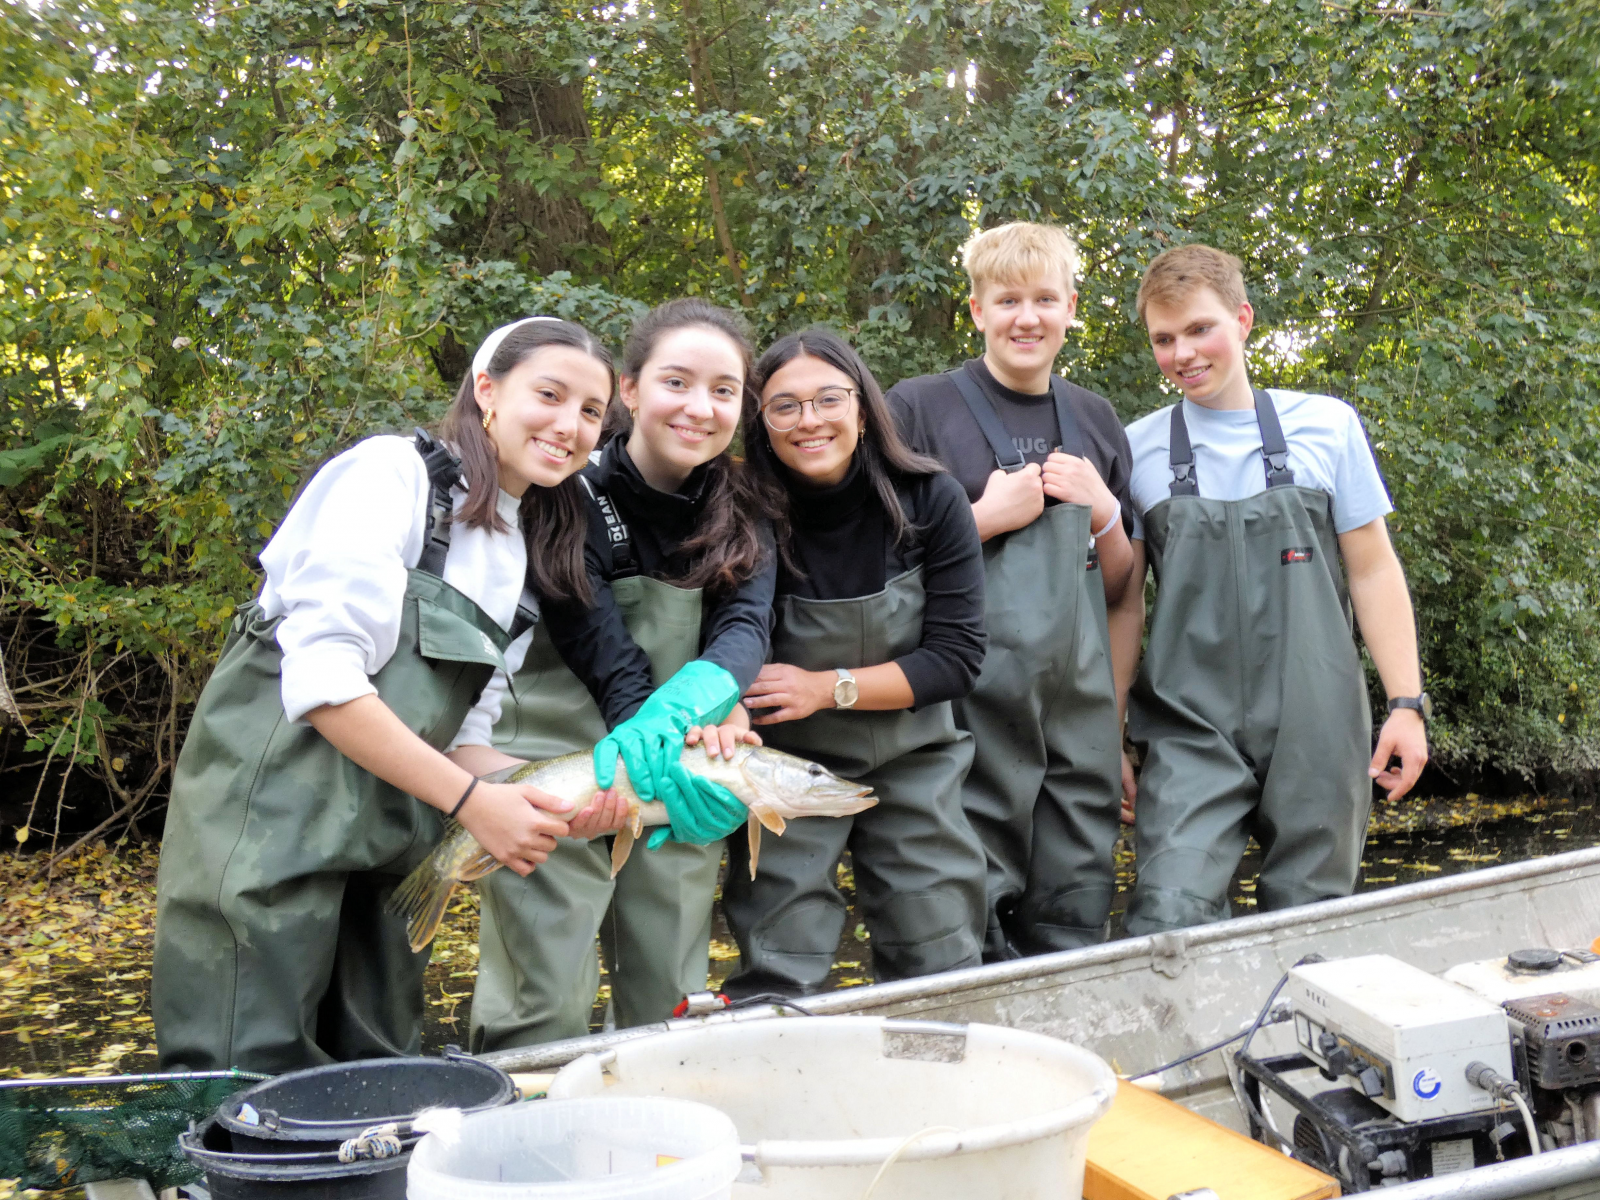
1150	1148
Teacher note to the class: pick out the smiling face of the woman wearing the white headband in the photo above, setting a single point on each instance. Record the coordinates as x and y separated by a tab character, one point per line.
546	415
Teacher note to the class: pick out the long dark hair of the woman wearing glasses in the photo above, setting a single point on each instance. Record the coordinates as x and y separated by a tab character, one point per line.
884	454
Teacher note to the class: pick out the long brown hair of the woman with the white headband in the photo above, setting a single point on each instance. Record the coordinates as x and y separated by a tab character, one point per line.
554	521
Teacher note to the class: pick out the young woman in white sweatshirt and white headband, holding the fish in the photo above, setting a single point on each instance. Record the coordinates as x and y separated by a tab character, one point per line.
350	714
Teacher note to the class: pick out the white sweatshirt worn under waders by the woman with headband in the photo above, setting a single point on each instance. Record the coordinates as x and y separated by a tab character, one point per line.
337	572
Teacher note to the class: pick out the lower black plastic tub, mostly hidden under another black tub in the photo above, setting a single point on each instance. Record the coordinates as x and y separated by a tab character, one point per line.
233	1174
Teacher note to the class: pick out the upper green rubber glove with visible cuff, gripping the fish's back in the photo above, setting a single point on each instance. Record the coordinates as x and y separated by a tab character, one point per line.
652	740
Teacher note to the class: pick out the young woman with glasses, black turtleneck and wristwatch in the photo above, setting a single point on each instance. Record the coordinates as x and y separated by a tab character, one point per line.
879	625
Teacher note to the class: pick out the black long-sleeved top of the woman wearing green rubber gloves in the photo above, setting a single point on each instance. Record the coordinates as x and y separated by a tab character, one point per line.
594	642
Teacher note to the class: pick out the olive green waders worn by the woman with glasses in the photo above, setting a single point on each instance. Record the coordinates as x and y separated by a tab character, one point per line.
919	866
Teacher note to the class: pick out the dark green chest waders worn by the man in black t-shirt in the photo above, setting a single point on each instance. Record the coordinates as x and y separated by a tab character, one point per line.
1046	788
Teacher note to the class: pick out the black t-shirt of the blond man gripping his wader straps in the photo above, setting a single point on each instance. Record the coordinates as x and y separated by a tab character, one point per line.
935	420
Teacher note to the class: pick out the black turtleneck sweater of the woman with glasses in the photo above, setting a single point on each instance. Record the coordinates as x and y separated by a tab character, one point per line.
844	543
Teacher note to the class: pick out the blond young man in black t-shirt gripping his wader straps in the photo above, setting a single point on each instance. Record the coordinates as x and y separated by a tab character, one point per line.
1046	466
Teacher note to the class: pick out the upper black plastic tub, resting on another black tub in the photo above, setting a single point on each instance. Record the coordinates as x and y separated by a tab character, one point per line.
322	1108
